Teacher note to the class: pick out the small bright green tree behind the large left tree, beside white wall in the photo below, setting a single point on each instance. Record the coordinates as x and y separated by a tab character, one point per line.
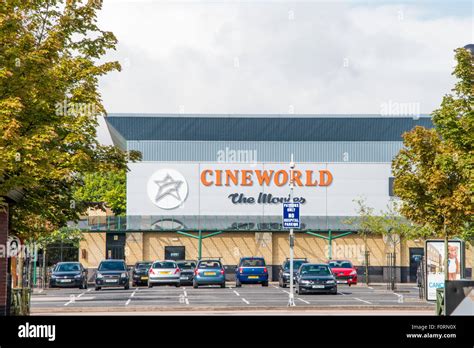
109	188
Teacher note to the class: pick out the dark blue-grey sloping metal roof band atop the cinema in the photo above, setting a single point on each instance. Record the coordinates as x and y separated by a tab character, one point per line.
263	127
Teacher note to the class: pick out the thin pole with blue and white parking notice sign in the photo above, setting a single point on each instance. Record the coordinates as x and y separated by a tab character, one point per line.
291	220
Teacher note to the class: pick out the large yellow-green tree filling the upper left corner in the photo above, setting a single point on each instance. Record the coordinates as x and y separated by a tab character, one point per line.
50	61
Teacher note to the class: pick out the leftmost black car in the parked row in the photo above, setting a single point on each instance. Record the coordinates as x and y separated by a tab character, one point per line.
68	274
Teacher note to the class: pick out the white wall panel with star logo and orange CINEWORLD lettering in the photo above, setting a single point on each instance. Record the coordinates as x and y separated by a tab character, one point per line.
213	188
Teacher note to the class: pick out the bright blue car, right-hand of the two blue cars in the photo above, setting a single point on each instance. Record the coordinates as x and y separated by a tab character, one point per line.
251	270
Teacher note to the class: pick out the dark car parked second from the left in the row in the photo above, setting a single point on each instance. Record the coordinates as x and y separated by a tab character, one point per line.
112	273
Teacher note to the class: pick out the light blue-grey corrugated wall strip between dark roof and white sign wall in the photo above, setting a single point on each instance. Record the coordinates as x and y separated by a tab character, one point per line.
267	151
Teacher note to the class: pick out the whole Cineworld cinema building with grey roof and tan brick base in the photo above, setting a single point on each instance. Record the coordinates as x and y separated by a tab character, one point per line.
213	186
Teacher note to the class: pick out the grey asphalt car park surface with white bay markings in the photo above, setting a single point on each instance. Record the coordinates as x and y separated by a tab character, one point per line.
247	297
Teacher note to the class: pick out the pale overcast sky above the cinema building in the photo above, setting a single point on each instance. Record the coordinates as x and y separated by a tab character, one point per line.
280	56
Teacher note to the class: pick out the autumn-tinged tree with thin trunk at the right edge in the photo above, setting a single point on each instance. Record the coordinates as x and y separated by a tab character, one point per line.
434	171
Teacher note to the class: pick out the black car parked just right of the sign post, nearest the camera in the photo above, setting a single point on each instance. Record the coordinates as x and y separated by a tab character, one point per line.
313	277
